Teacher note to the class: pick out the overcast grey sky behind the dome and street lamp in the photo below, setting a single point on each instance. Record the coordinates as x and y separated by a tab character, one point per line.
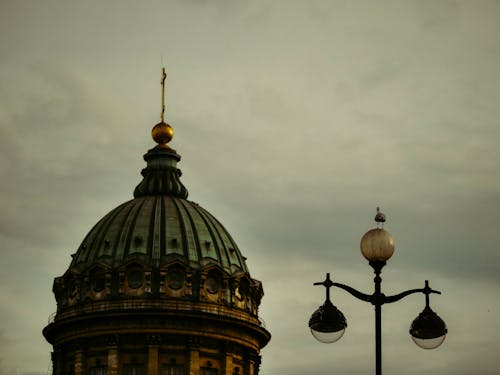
295	119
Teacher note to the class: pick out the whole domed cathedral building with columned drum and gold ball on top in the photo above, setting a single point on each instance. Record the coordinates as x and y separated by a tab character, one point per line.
157	287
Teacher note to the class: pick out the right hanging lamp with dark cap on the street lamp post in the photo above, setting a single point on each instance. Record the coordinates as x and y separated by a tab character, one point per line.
428	330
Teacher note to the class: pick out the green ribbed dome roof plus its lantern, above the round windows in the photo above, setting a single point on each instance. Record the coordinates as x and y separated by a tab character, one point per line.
159	226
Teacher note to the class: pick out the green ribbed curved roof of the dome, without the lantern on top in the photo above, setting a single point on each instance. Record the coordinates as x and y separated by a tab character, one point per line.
155	229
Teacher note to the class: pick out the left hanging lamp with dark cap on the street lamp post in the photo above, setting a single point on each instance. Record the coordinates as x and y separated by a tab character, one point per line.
327	323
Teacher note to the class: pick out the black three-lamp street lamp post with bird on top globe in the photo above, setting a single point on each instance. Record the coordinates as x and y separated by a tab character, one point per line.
328	324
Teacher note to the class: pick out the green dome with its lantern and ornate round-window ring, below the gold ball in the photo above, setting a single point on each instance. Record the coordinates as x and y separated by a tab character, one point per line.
158	245
